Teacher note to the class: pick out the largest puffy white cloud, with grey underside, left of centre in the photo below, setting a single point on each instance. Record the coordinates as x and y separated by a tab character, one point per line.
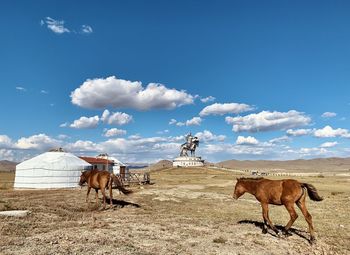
118	93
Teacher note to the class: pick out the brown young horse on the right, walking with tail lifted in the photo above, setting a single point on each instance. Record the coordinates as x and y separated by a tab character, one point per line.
279	192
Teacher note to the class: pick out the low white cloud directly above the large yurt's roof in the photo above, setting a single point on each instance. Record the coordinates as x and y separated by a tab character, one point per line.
37	142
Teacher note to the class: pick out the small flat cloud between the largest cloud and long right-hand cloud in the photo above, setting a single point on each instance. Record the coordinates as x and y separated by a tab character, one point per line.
221	109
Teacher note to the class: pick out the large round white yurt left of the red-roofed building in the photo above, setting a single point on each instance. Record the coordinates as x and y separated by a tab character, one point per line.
54	169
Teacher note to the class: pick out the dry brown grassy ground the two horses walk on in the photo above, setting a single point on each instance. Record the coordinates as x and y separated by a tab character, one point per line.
185	211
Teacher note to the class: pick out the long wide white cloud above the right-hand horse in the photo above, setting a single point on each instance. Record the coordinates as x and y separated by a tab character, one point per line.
267	121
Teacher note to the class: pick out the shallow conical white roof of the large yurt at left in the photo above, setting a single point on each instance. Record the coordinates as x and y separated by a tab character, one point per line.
53	160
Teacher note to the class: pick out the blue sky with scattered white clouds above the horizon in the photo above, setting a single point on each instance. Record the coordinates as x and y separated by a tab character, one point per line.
252	79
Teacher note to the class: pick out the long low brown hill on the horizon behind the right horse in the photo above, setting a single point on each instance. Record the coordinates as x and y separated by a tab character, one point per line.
318	164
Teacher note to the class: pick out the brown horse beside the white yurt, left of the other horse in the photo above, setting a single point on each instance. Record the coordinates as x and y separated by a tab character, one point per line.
101	180
